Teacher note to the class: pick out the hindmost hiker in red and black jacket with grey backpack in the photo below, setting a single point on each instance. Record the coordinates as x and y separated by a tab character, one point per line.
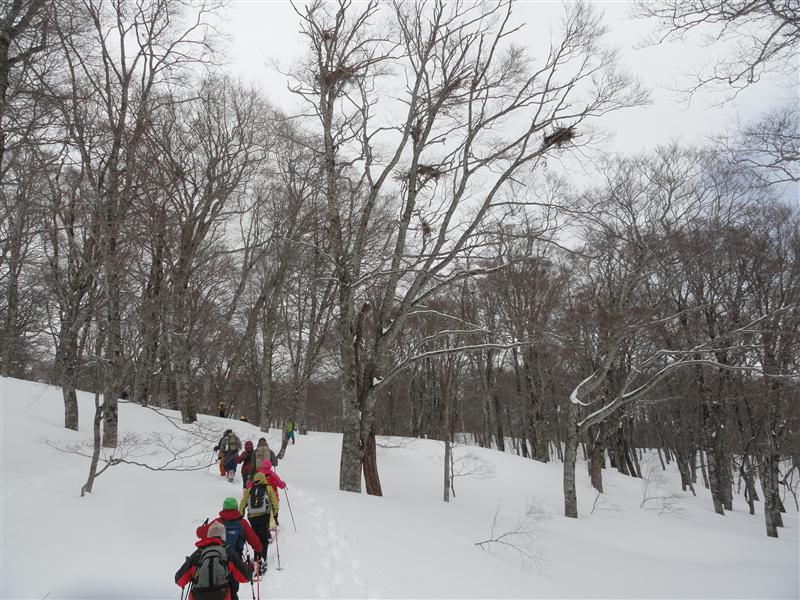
202	567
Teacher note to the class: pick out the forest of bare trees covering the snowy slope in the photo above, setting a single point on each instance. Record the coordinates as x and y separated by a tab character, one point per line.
413	252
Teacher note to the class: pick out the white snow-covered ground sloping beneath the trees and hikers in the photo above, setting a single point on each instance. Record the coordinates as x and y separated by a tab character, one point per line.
127	539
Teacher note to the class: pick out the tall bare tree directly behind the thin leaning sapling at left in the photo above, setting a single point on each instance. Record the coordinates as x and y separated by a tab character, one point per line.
115	64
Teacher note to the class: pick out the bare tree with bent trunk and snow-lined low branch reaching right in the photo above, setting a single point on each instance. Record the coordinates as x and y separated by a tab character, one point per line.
645	202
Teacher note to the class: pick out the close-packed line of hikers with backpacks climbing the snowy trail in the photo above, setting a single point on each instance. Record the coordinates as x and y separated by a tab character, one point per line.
217	566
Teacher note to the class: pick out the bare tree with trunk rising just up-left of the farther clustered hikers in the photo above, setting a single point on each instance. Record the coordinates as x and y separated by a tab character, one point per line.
208	150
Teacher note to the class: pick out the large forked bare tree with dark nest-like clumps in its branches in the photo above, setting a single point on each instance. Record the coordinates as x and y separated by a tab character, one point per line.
465	97
